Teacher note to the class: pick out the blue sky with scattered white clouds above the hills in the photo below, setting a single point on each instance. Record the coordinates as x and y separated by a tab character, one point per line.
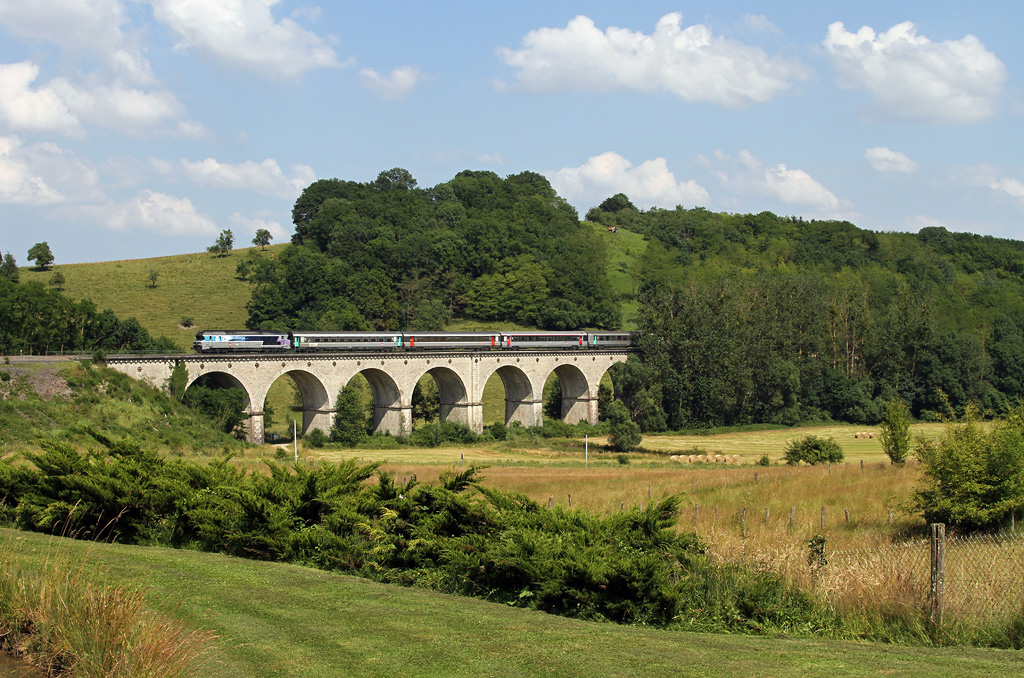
143	129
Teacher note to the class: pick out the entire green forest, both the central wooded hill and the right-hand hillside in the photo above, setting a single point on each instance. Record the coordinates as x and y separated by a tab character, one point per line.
744	318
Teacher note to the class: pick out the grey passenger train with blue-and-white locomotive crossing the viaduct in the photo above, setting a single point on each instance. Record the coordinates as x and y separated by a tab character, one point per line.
247	342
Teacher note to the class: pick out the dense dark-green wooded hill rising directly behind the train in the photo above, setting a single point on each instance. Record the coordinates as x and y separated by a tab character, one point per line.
388	256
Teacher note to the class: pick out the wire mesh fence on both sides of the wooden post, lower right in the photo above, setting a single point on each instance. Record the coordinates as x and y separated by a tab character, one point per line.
984	577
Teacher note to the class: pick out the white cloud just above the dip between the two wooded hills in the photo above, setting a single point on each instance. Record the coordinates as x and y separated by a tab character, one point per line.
649	185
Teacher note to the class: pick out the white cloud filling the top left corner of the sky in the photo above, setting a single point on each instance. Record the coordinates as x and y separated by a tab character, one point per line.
93	26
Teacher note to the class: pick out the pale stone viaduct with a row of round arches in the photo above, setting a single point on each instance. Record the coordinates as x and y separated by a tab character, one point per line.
461	377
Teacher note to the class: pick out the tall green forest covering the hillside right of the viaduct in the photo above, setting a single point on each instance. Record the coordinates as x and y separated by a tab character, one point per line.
751	319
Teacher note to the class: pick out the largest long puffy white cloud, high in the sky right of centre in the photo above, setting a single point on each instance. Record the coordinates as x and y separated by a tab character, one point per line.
691	63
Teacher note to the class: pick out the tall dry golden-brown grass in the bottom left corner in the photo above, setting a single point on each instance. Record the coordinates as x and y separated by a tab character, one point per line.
65	619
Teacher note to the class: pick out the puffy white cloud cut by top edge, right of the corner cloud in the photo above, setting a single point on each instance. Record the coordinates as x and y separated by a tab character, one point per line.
245	33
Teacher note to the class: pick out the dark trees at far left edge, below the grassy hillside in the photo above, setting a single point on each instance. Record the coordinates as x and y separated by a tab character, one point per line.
36	320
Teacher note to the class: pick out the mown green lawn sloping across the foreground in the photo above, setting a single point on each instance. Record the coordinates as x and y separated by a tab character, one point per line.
288	621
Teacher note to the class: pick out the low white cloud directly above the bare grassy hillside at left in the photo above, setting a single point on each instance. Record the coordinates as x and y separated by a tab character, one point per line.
151	211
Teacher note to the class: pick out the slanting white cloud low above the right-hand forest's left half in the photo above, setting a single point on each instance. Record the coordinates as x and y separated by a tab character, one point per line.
791	187
